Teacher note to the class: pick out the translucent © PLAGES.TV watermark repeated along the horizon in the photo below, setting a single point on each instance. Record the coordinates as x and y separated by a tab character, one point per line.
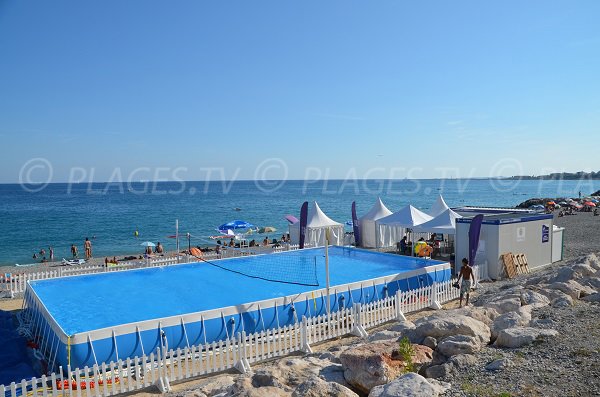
271	174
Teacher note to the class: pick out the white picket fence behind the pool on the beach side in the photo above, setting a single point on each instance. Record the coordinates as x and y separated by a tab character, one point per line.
12	284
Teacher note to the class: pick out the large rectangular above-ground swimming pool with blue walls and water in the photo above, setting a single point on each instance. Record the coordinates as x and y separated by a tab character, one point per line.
89	319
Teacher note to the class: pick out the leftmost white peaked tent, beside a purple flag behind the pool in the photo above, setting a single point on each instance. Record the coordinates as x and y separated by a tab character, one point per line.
316	226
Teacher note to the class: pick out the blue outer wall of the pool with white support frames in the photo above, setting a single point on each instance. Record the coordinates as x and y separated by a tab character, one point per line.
139	338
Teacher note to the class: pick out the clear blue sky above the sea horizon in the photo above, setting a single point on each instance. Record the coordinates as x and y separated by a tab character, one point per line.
337	88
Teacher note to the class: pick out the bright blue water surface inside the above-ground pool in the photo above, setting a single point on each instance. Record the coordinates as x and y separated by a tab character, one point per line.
85	303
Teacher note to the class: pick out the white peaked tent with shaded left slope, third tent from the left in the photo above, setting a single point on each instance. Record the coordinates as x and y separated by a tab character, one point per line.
391	228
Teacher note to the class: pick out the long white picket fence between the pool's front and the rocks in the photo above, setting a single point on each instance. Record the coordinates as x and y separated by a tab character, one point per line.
161	368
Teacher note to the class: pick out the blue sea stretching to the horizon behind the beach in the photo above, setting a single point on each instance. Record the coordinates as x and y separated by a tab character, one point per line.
109	214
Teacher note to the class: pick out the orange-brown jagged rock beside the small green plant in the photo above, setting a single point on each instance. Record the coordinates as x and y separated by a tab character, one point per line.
374	364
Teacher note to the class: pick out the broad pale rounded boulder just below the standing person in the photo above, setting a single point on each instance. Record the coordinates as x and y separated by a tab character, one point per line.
447	323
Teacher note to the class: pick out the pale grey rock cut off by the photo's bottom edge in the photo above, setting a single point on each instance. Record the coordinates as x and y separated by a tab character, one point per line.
410	385
